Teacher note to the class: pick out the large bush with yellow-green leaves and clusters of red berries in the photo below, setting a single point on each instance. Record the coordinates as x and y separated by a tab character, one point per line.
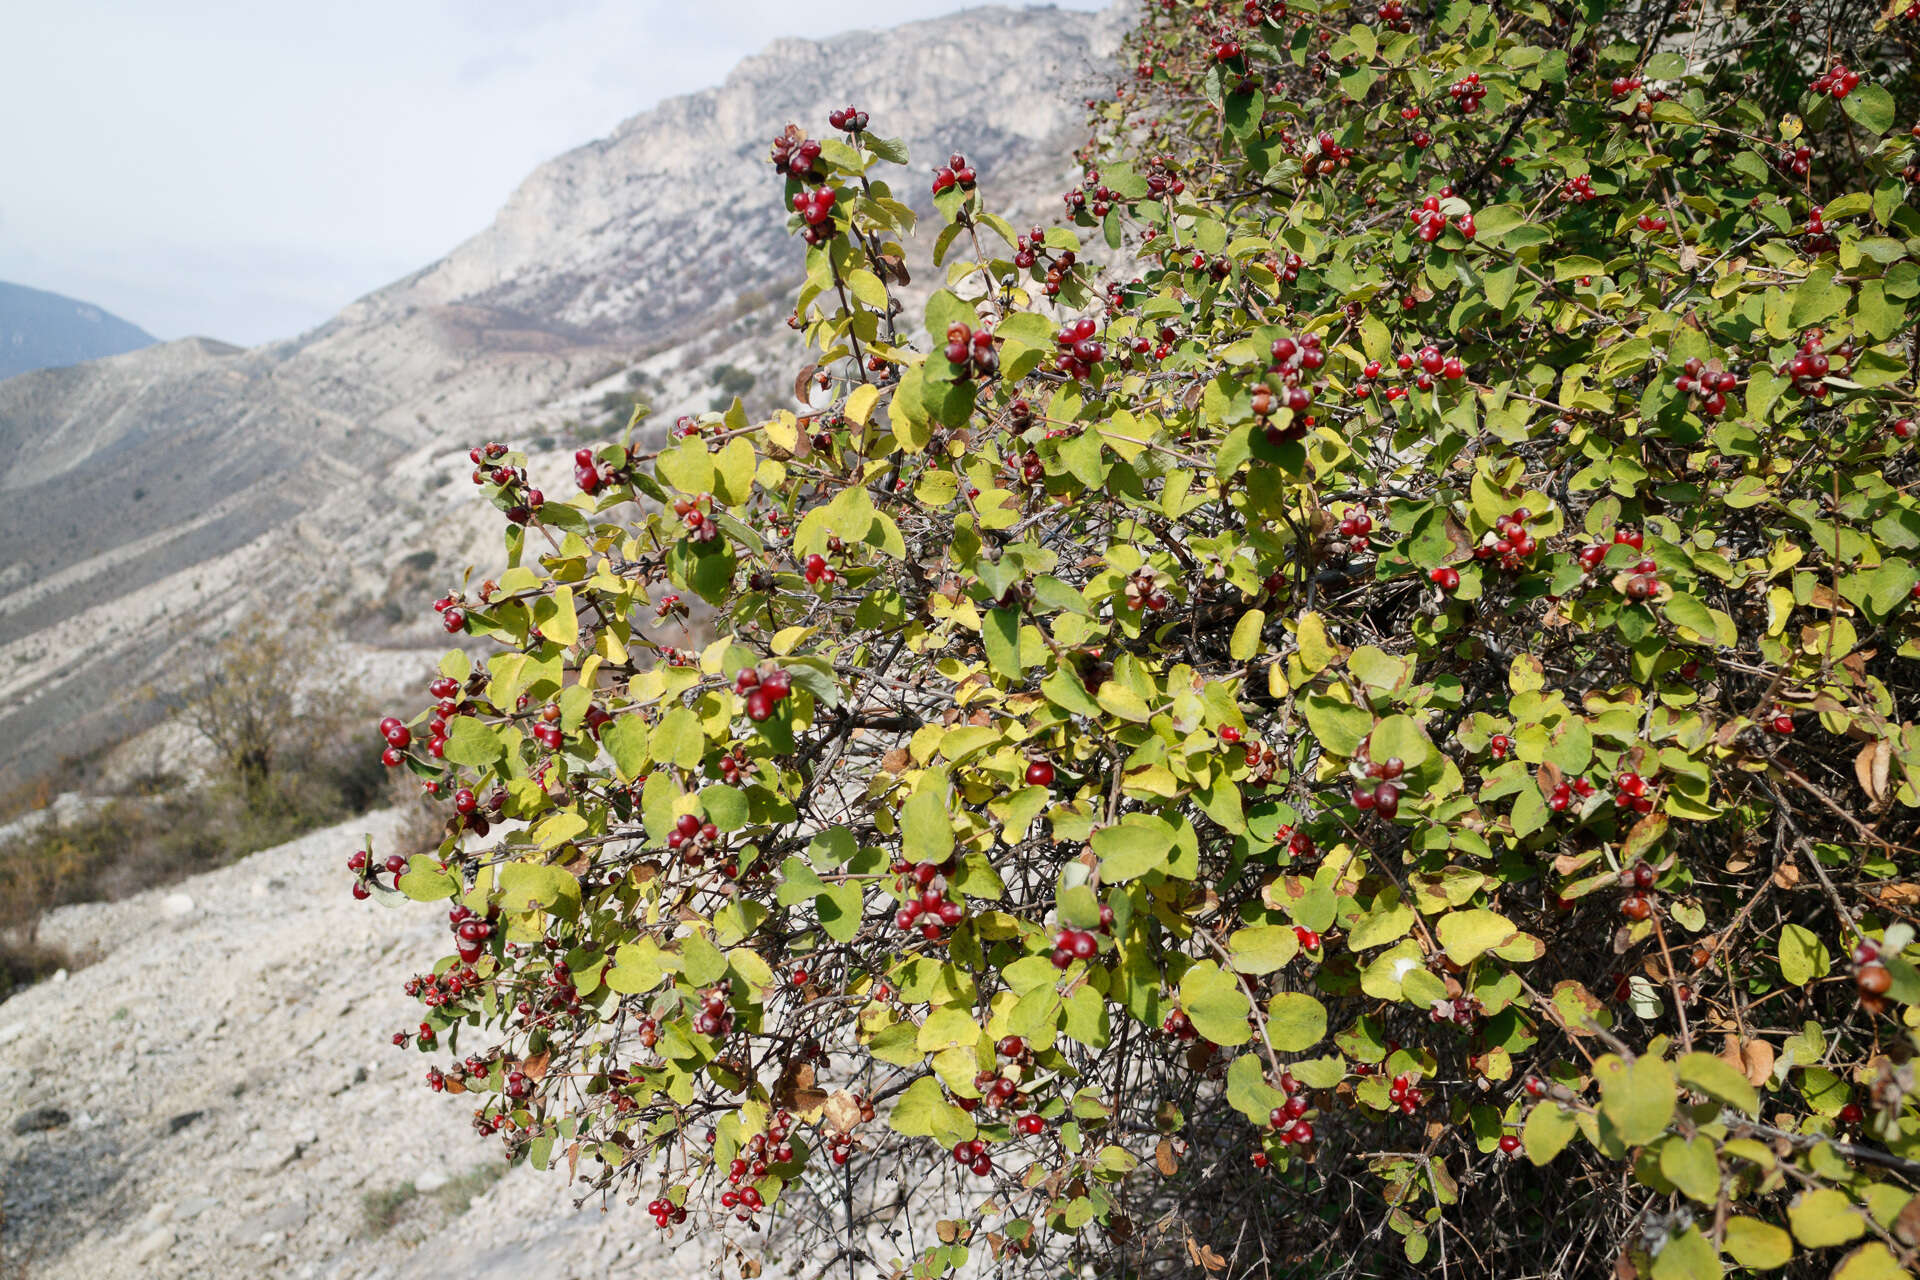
1393	740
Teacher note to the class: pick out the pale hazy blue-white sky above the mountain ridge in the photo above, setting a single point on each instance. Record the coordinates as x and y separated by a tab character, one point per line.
243	170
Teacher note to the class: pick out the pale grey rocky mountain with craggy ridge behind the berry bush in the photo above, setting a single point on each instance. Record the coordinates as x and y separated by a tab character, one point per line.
153	498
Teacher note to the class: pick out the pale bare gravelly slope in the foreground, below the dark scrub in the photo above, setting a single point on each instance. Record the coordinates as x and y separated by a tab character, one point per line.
214	1097
